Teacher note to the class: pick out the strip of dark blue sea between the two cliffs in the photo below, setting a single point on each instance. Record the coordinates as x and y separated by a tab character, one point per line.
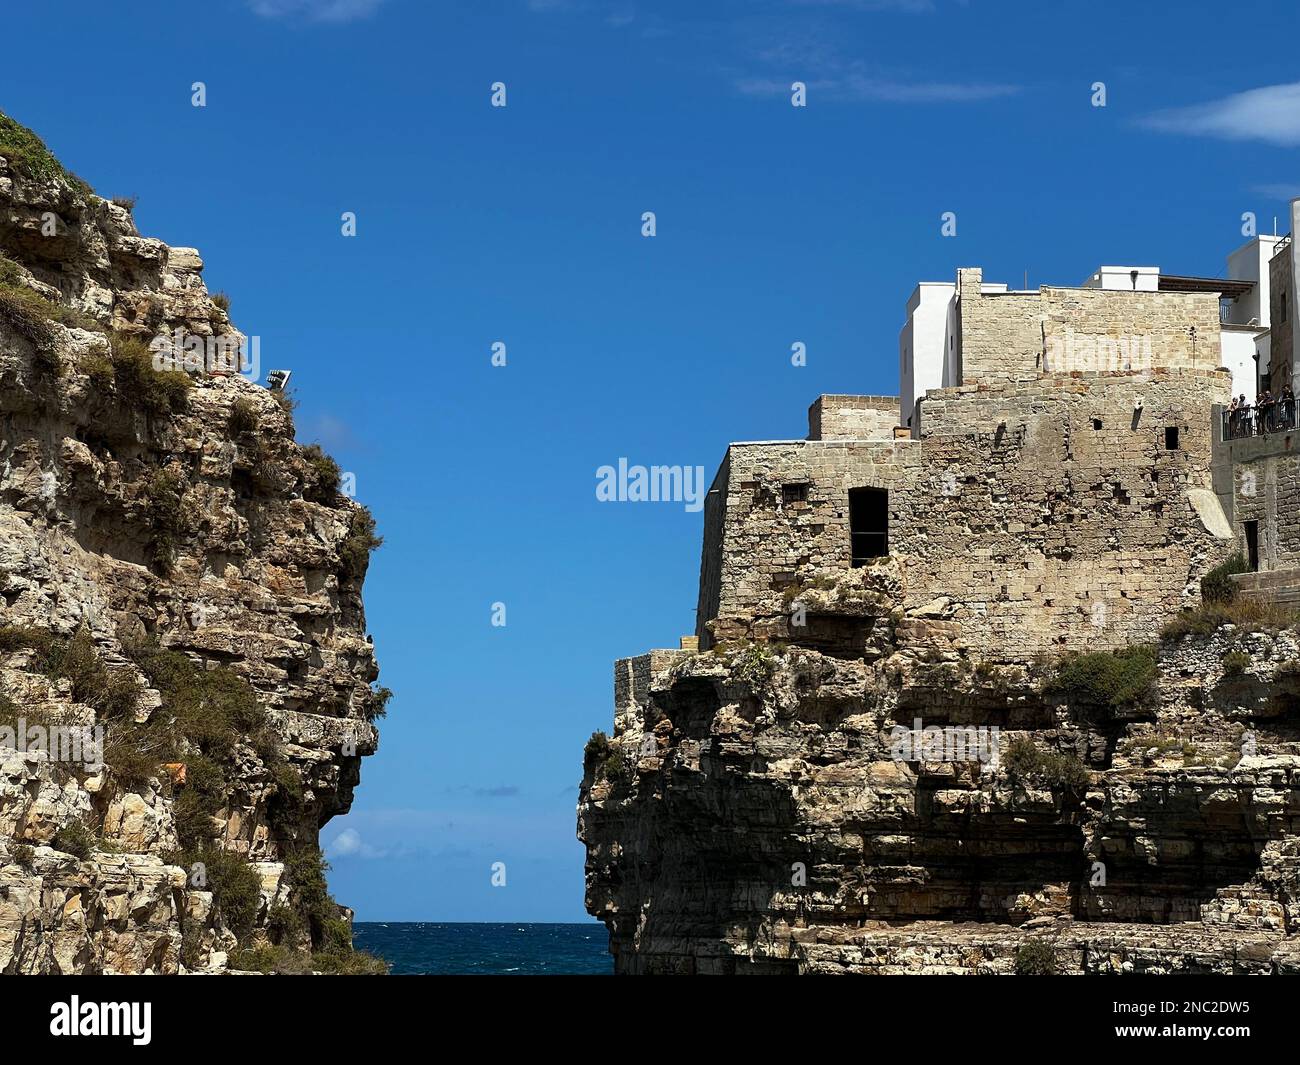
417	949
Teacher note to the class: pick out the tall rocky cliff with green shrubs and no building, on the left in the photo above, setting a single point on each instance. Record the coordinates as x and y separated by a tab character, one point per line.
179	573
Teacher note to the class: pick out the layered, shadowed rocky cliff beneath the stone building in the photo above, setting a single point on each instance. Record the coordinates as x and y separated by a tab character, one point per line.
770	808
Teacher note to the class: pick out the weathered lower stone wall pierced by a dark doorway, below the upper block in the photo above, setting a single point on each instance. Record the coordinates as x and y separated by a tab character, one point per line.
1035	517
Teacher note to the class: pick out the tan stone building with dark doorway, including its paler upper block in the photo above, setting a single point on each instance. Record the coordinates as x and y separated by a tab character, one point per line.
1059	497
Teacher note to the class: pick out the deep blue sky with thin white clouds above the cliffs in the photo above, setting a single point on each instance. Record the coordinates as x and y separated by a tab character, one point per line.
523	226
